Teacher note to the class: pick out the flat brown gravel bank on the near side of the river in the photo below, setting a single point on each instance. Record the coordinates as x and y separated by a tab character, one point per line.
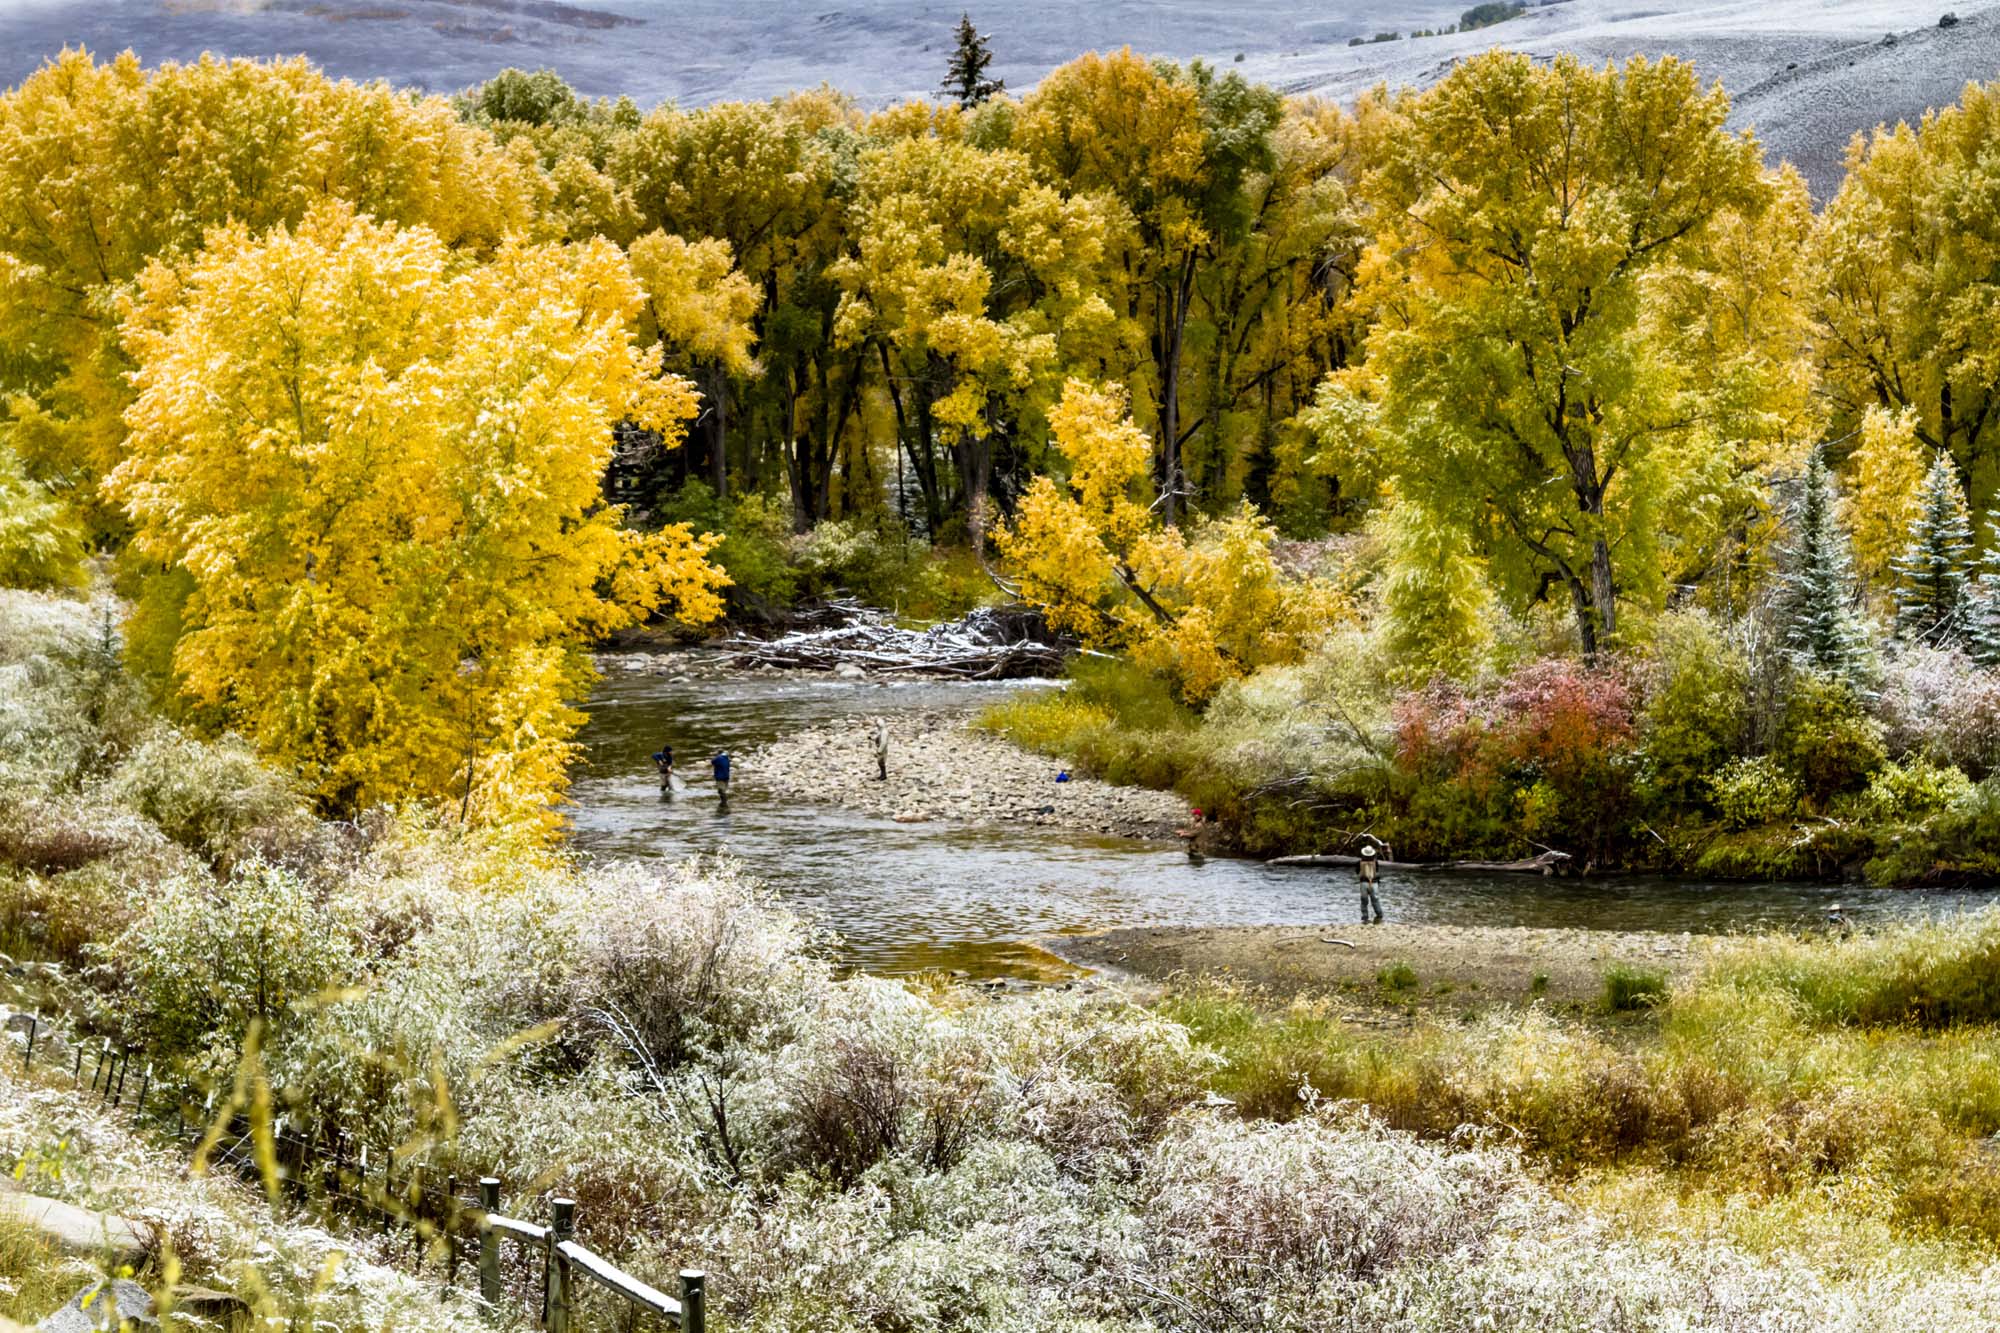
1453	966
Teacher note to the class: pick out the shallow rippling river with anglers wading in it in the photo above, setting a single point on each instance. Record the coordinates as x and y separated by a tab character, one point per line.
975	898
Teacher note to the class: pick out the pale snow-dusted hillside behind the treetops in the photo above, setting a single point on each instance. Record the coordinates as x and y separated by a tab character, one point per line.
1805	73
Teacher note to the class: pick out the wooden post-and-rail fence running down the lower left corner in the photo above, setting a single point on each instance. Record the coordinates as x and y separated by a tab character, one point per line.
321	1160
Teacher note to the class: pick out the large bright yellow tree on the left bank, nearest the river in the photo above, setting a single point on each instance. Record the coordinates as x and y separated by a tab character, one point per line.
373	471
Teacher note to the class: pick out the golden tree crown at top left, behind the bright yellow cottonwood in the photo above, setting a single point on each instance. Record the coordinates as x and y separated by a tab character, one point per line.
107	167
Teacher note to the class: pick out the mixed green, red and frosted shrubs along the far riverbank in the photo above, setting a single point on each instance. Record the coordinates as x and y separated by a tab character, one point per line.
1707	752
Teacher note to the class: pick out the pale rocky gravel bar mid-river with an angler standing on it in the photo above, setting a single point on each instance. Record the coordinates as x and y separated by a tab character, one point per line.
943	770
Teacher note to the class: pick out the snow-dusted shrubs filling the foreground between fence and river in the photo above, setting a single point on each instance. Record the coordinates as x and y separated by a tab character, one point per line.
681	1056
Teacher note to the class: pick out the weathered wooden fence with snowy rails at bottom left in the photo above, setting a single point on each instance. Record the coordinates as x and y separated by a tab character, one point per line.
565	1260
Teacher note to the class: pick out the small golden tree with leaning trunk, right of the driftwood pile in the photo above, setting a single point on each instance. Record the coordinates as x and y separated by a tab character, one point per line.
1197	607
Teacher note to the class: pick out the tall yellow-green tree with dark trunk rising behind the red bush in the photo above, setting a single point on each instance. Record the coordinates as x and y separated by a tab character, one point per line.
1541	229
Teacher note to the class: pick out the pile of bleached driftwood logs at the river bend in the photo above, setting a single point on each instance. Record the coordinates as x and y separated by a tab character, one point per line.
995	643
